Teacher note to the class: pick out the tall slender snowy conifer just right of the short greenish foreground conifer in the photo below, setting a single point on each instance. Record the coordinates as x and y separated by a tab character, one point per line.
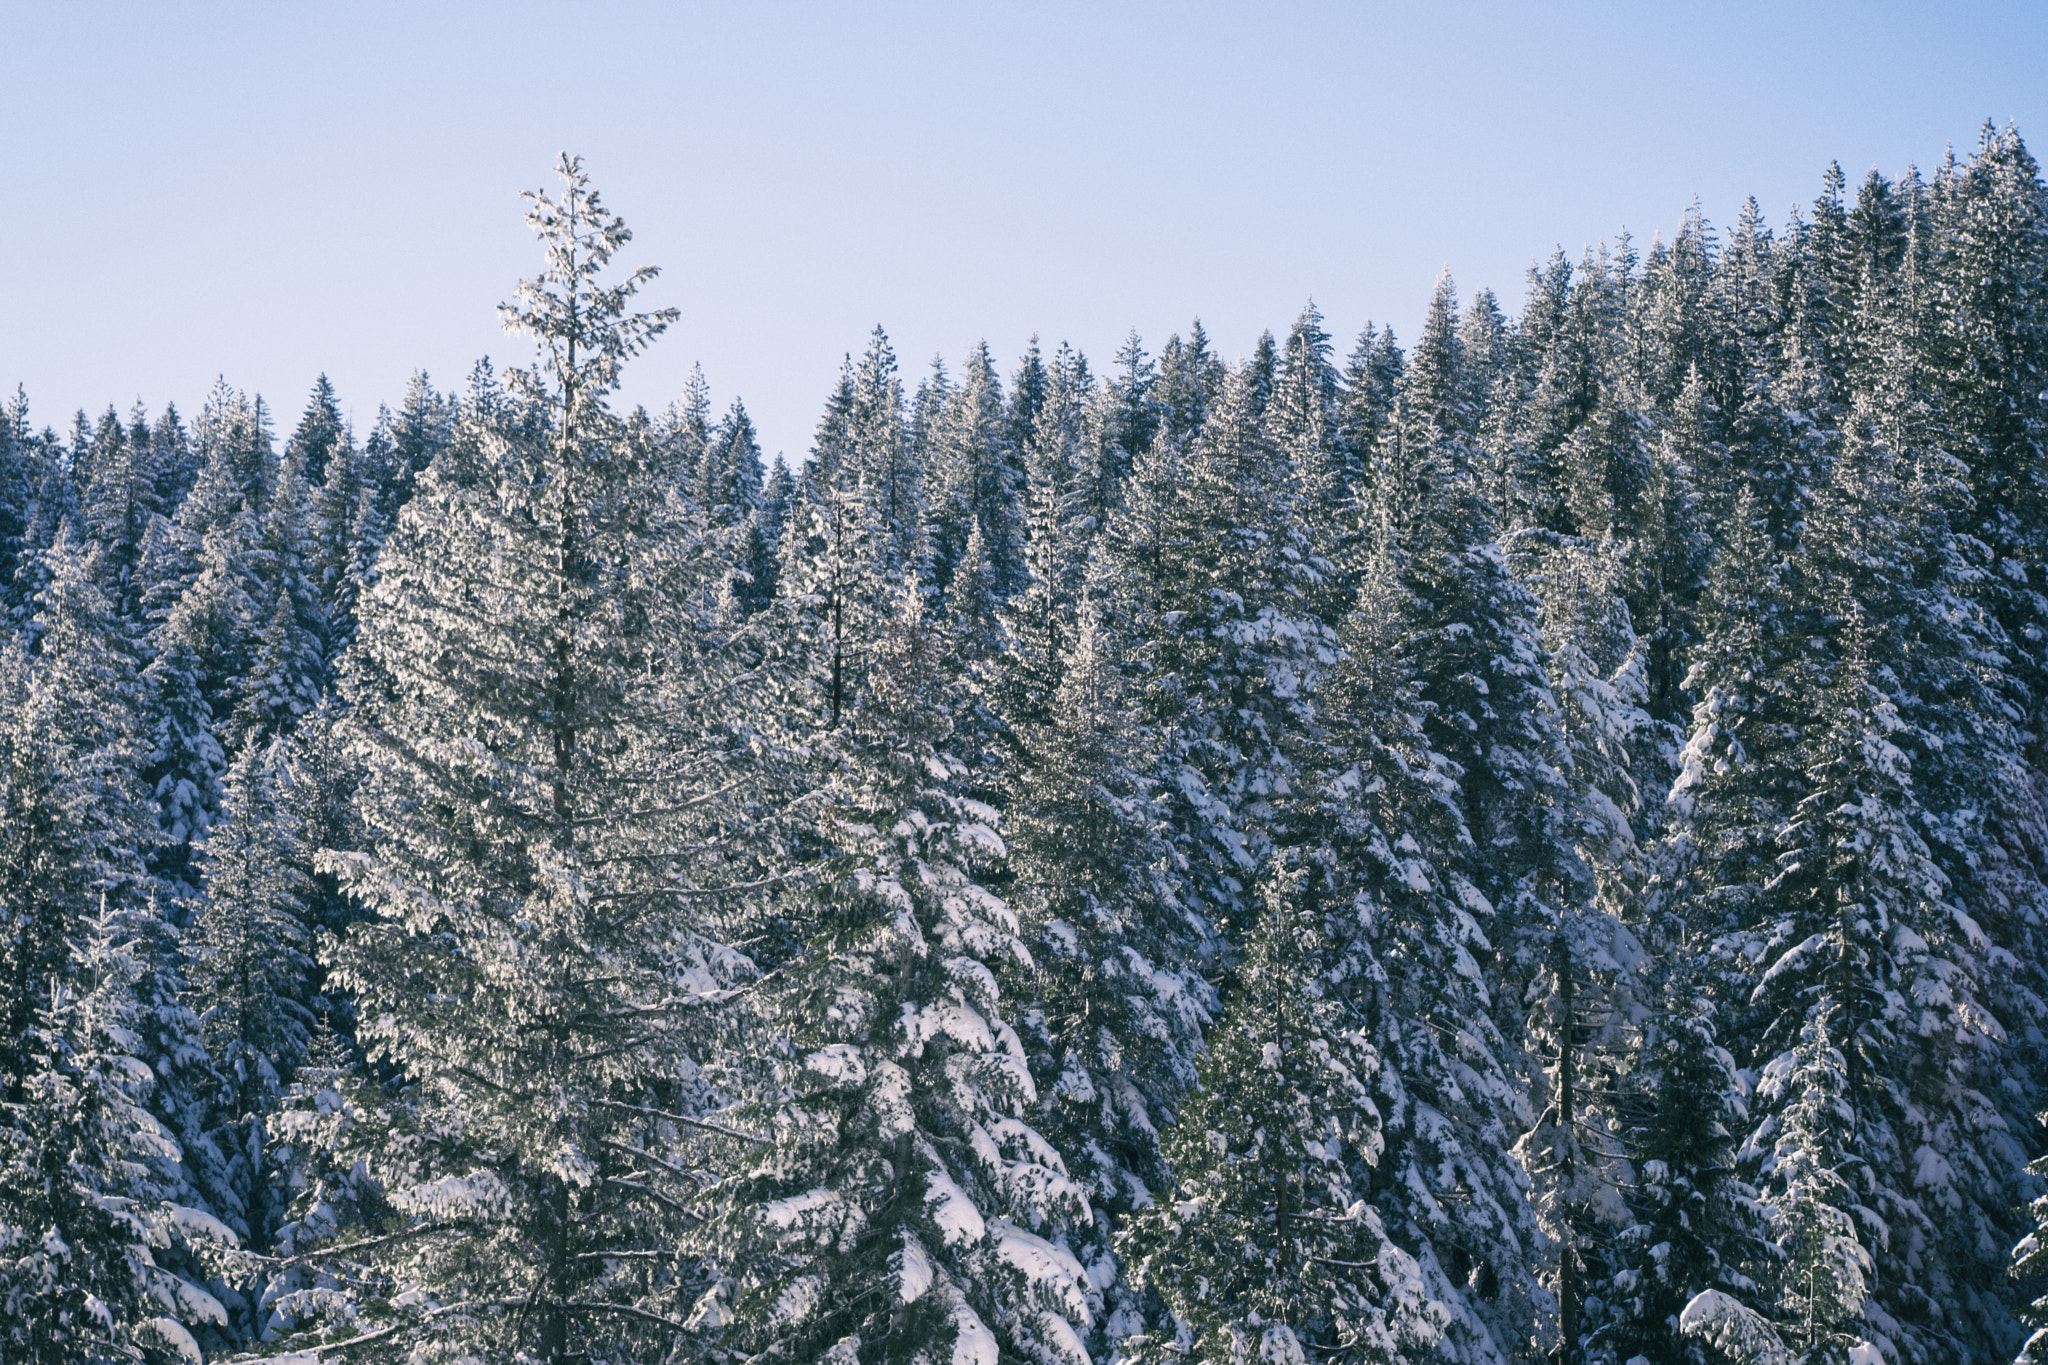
1418	969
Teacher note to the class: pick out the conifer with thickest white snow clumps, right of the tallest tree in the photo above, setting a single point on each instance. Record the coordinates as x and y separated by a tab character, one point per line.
904	1210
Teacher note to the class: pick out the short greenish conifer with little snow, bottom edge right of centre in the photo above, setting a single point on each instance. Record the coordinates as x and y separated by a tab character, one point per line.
1265	1249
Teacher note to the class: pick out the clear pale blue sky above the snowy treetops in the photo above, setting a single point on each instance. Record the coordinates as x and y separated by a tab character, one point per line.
269	191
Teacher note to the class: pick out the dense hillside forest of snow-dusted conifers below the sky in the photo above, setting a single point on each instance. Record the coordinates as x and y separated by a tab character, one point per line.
1523	842
